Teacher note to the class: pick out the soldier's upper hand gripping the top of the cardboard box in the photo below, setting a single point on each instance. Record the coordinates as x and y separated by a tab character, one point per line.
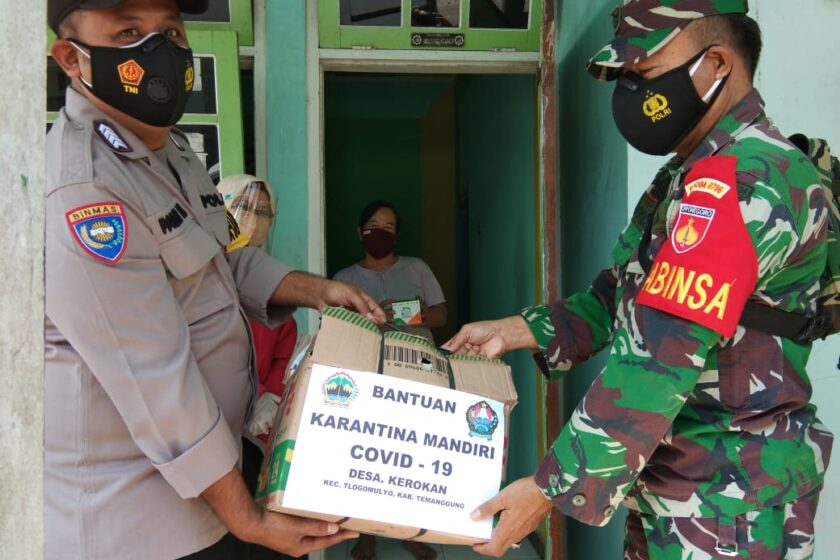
492	339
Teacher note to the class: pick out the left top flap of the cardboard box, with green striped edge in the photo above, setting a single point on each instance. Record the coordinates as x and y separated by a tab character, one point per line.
346	339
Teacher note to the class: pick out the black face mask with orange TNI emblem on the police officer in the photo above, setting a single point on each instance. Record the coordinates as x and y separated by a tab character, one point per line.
150	80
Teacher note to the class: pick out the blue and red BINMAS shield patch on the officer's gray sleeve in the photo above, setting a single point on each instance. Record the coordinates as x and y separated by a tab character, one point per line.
100	229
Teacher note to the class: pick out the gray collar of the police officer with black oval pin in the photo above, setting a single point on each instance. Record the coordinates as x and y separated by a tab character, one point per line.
119	139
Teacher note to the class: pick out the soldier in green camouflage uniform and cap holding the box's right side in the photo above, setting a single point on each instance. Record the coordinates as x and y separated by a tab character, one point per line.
700	426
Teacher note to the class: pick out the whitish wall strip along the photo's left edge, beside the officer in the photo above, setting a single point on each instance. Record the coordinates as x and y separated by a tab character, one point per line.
22	170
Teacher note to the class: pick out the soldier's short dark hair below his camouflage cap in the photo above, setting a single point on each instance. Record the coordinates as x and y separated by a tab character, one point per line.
738	31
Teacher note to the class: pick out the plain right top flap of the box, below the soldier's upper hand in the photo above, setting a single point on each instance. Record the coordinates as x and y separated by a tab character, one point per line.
481	376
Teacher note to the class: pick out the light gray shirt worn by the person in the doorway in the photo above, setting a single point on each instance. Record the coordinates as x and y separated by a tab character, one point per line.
408	278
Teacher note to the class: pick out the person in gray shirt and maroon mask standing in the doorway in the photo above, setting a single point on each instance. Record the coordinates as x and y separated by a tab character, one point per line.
391	278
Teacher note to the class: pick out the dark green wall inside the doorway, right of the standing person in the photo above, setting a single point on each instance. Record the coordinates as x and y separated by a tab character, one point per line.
495	168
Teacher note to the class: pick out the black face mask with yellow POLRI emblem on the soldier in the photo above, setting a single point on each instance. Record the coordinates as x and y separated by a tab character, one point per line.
655	115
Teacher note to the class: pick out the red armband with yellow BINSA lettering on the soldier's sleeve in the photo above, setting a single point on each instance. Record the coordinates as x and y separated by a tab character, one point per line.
708	268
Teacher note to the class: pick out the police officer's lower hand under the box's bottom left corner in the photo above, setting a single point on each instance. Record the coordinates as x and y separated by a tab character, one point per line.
297	536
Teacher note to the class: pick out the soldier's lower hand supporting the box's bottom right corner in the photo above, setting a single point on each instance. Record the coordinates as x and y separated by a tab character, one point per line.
522	505
